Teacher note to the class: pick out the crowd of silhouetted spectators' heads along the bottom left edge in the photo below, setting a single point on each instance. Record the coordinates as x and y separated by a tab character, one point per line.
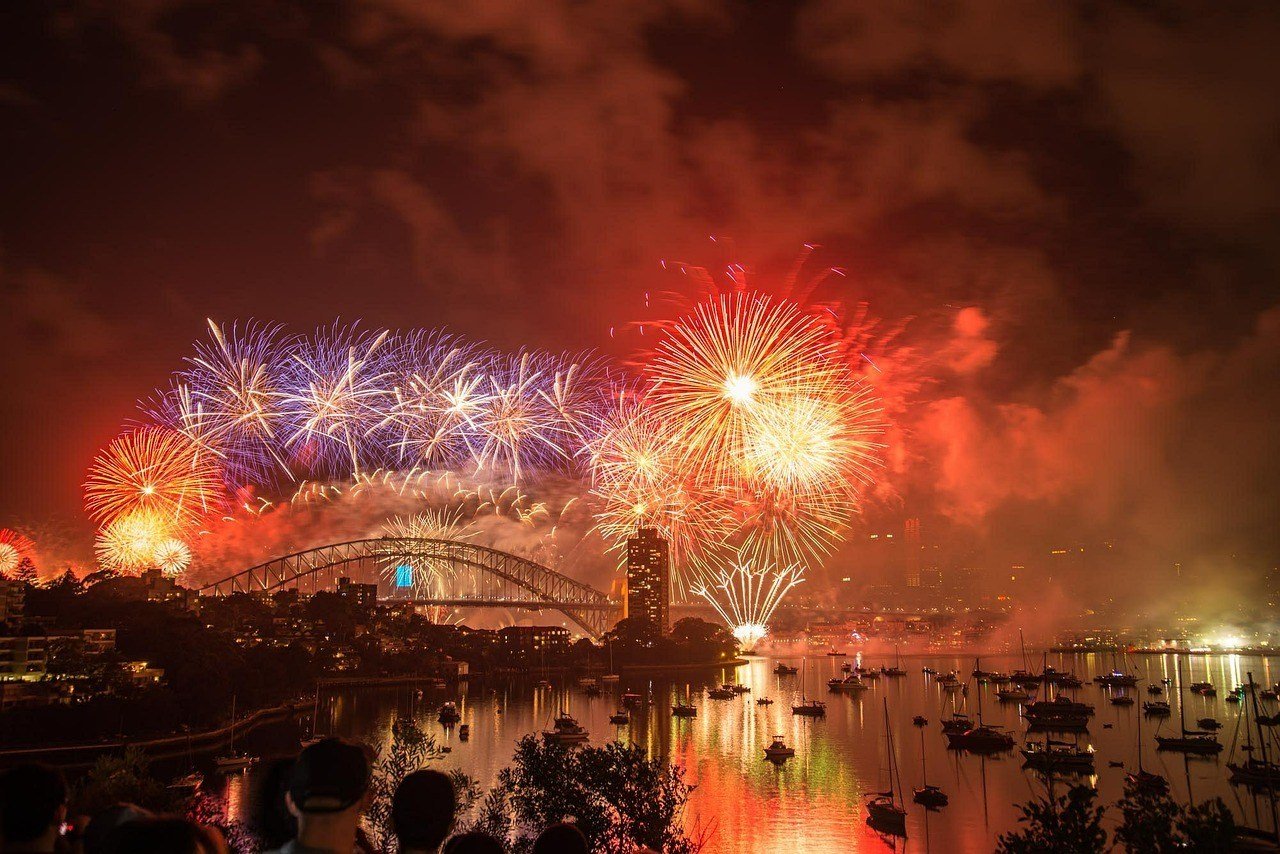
313	805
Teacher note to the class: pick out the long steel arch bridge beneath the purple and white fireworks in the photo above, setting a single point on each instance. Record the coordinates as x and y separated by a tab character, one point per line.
496	578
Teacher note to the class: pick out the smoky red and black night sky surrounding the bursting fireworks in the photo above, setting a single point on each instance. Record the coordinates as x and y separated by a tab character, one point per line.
1069	209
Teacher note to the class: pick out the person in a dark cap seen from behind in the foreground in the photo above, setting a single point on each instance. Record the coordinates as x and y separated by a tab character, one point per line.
327	793
